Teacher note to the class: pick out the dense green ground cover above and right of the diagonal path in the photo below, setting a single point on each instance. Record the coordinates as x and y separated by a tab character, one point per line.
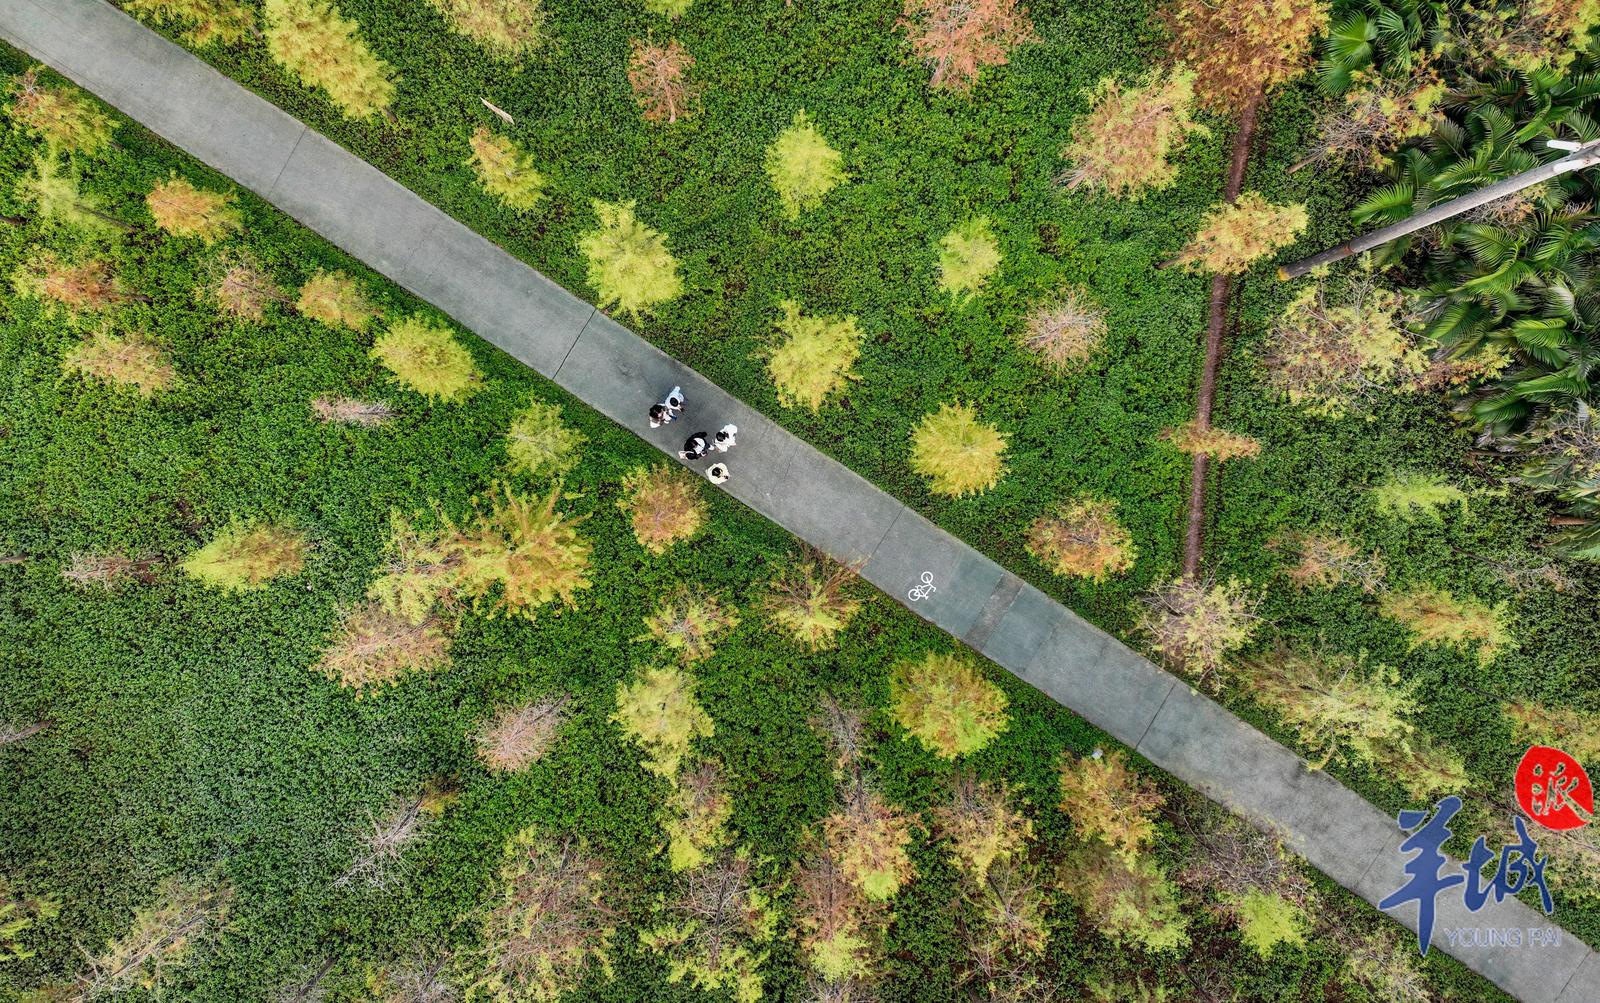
921	162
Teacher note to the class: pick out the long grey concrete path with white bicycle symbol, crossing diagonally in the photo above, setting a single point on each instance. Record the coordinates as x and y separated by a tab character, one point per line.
935	575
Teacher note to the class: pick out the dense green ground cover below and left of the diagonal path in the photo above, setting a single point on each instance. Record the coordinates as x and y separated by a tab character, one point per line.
191	737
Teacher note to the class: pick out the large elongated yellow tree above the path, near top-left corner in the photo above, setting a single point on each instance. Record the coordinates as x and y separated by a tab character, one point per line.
321	49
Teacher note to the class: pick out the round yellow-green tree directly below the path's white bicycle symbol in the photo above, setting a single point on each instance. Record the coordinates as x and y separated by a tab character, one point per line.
946	705
